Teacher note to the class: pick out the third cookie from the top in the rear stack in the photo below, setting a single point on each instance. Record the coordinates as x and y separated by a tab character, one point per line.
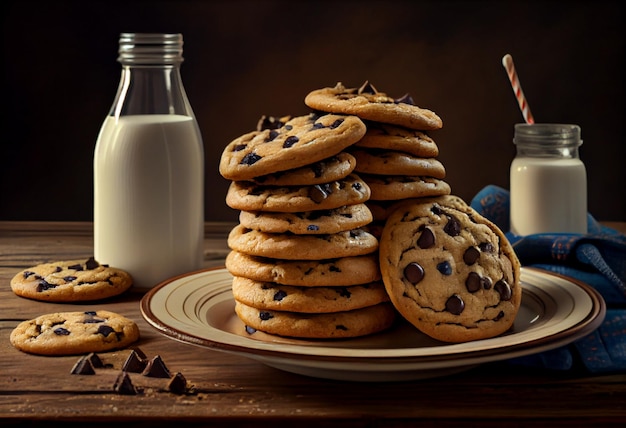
390	162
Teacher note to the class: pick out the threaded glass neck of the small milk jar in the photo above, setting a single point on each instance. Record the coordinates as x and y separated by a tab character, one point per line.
547	140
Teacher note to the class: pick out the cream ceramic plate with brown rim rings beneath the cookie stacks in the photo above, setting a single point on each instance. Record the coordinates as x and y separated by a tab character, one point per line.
198	308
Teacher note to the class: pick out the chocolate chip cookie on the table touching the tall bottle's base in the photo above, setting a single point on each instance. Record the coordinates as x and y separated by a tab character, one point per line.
70	281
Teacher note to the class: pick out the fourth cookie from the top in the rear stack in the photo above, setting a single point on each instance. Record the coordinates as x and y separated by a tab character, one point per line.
396	187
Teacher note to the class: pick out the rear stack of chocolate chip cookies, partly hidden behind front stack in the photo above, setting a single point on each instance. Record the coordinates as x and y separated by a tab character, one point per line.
395	157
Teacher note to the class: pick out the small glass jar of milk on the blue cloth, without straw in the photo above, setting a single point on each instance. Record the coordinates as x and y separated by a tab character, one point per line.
548	180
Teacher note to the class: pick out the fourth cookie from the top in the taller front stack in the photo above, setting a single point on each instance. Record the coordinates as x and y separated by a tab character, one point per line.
336	220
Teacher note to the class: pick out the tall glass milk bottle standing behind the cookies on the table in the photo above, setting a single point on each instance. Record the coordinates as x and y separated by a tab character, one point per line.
149	167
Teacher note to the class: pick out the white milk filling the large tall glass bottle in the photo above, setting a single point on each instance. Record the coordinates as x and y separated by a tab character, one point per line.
148	196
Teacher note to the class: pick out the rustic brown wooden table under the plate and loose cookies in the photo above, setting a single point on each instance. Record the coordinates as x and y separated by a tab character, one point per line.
231	390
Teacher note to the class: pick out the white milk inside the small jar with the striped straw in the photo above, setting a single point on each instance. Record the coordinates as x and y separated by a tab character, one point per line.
548	195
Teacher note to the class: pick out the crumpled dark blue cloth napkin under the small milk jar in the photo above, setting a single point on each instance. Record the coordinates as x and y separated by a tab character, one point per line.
597	258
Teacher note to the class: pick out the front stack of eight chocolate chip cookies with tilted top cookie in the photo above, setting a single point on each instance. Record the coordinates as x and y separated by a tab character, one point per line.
303	263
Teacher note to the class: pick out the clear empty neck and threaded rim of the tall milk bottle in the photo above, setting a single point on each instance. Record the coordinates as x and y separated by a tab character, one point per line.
150	82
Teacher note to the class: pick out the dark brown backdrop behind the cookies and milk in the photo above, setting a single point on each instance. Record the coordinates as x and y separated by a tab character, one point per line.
248	58
